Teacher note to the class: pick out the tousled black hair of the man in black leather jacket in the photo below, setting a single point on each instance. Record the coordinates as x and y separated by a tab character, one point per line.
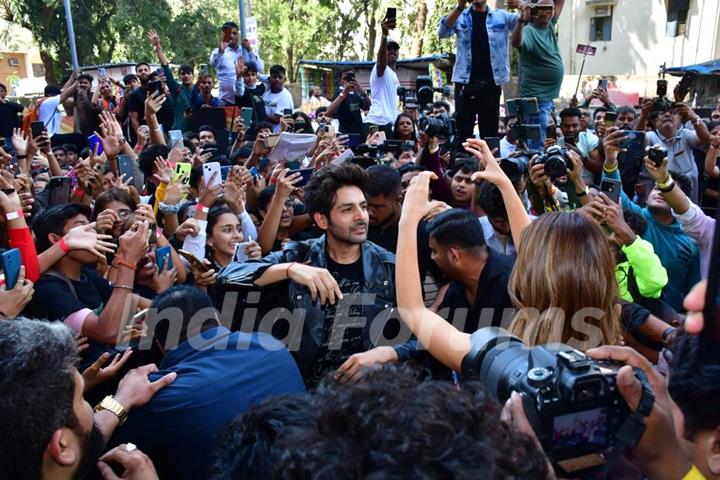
320	191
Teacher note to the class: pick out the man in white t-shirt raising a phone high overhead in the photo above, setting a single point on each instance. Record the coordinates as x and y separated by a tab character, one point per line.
384	83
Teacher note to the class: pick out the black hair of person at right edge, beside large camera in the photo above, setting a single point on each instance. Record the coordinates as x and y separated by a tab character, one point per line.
694	386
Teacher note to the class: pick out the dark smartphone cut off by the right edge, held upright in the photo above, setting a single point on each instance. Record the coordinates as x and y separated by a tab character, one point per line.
710	335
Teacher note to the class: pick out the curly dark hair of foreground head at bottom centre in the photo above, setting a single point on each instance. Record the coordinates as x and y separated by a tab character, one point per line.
388	424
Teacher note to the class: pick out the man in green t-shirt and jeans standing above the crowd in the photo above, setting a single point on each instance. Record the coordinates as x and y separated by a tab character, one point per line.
541	65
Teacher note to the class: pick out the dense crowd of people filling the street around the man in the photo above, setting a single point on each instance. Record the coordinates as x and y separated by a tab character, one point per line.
186	300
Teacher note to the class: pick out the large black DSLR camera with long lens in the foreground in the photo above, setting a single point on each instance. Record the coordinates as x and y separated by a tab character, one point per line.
571	401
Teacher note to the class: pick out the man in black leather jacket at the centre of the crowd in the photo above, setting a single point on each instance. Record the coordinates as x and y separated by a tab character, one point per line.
340	287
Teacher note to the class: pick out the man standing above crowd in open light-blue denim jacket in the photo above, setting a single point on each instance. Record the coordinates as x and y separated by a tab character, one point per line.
481	63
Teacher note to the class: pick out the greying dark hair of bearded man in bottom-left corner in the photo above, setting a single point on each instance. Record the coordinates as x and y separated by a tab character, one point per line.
37	390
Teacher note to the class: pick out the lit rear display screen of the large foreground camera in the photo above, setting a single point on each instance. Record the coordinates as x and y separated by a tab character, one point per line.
588	427
